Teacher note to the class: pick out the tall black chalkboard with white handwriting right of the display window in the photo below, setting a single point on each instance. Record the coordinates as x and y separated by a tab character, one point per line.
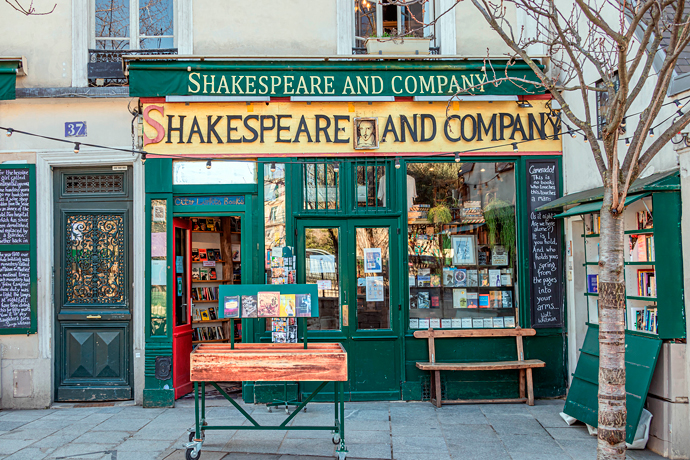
545	254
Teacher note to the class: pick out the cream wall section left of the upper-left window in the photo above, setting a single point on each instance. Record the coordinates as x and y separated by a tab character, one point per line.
46	42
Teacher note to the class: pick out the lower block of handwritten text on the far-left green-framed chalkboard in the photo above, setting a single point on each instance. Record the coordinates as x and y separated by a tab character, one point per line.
15	294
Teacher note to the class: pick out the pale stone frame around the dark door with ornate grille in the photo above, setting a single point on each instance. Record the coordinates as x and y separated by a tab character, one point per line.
45	249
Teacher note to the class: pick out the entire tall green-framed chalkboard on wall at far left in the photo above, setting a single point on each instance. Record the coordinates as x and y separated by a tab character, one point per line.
17	249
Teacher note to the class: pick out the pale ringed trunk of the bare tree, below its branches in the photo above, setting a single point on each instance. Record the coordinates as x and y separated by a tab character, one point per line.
612	409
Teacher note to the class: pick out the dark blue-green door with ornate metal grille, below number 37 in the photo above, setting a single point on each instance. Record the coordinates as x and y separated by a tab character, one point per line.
93	285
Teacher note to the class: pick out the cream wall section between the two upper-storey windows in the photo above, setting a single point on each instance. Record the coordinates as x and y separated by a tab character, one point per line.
269	27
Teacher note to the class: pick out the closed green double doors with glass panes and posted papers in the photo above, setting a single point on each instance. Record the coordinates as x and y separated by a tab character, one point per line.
357	266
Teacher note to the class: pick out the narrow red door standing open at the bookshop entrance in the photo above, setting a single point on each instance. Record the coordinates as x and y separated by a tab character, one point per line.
182	318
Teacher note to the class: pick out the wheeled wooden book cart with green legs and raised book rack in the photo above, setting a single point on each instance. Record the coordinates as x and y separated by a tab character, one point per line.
268	362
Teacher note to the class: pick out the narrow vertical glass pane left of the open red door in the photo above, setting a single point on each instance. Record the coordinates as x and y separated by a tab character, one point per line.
159	272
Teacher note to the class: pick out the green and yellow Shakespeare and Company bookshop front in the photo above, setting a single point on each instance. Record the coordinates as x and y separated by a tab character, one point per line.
408	211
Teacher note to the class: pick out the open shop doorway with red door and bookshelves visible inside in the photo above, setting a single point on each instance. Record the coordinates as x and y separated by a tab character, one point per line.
207	253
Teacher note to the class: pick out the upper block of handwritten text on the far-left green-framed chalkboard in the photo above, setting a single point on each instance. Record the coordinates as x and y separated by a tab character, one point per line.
14	206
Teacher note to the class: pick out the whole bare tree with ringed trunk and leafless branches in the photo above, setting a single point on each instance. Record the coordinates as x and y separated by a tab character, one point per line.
618	41
